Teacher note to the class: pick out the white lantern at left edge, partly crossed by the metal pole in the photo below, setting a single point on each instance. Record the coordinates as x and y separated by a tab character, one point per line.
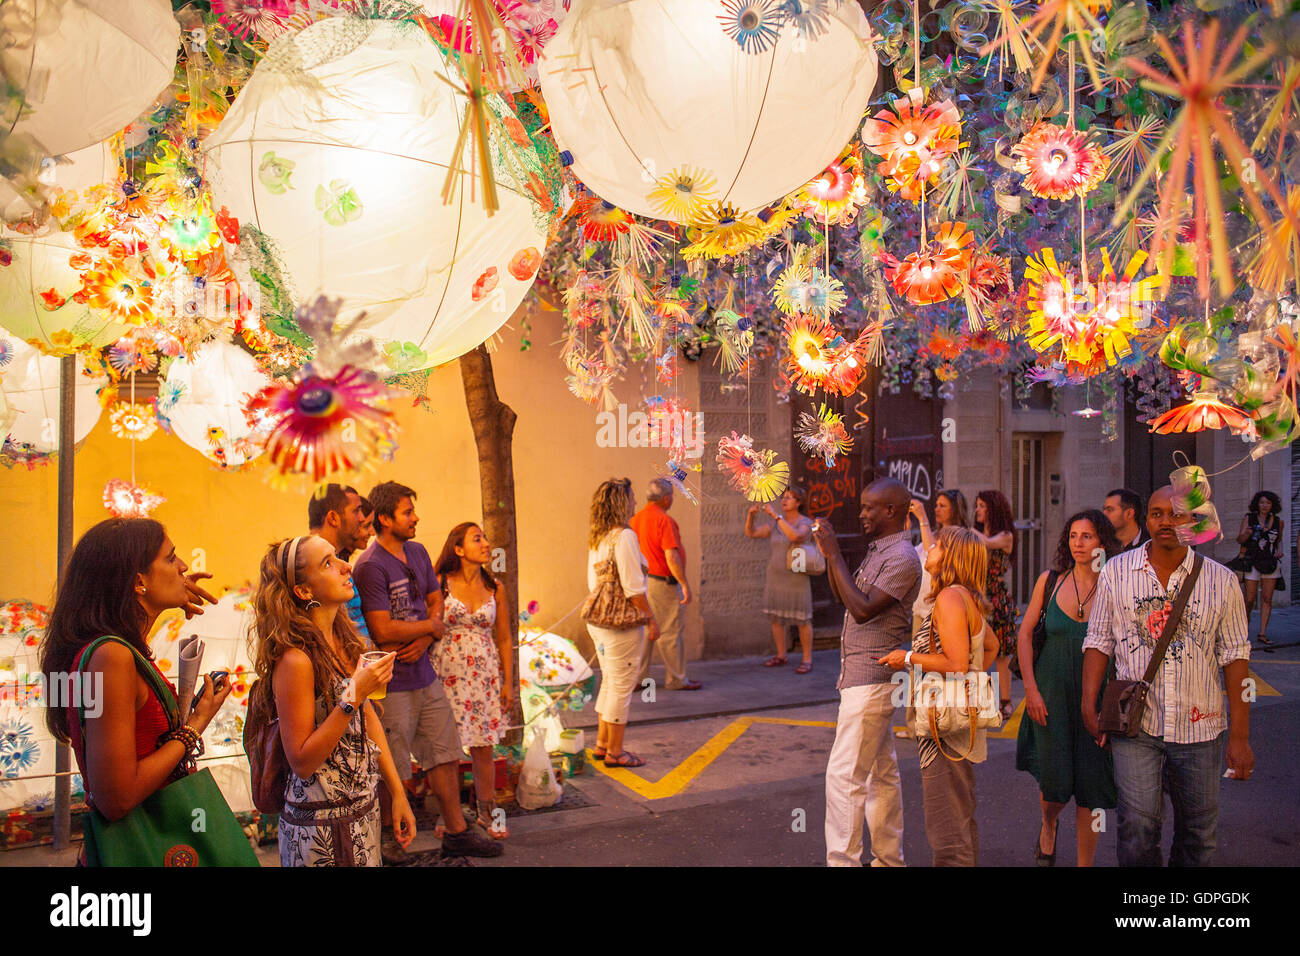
31	383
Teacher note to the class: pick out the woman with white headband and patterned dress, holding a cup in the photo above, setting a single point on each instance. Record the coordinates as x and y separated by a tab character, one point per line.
307	655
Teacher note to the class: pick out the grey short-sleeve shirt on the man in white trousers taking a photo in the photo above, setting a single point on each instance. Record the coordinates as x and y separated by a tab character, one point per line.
894	568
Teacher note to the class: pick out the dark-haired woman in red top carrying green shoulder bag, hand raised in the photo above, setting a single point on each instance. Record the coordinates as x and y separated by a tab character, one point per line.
135	743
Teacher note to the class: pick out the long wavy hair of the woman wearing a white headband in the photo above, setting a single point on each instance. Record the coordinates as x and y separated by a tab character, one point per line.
283	622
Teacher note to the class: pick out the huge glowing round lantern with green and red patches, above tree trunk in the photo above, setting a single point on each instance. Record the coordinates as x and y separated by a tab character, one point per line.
339	149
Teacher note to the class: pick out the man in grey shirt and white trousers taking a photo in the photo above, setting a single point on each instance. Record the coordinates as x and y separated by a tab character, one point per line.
863	775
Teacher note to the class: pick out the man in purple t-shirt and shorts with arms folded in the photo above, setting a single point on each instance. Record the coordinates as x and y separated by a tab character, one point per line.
402	604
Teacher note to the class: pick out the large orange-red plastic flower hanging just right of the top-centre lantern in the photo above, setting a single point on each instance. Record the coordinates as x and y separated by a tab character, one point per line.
915	141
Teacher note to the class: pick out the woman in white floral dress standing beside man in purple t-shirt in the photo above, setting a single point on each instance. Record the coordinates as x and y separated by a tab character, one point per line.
475	660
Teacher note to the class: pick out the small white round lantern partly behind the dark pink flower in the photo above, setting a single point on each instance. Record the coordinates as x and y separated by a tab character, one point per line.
203	399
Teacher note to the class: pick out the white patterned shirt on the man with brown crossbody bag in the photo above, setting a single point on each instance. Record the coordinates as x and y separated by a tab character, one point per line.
1186	704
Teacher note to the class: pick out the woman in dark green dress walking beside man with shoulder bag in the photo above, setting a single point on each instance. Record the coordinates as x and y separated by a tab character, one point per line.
1054	743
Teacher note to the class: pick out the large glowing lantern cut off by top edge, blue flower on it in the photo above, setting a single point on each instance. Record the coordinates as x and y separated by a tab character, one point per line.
669	106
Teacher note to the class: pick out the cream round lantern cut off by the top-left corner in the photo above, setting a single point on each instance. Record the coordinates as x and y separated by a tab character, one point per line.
85	68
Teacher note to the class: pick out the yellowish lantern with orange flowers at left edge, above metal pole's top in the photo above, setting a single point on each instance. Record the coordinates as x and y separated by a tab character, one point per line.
37	292
